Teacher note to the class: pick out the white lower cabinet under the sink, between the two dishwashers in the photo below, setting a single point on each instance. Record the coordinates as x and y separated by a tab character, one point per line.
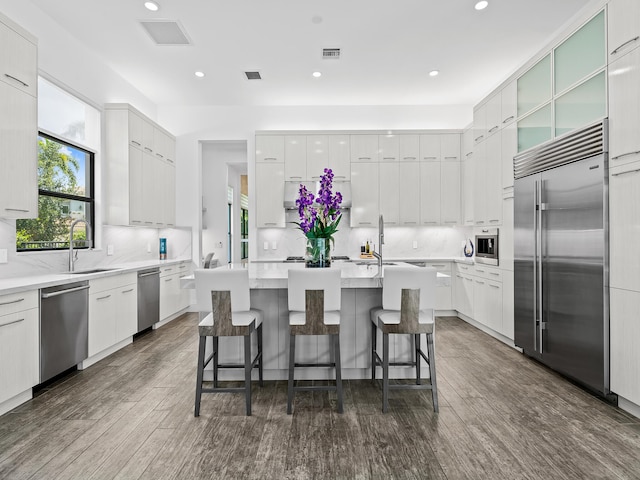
113	311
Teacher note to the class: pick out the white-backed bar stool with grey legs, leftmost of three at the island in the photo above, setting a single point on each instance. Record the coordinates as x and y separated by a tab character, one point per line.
225	294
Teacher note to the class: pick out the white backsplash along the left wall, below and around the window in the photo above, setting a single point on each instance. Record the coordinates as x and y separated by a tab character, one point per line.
129	245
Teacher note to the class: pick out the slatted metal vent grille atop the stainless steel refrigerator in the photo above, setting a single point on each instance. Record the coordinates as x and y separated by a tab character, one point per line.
584	143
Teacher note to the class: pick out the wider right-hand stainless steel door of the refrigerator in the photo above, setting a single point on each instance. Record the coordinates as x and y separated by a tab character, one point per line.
572	273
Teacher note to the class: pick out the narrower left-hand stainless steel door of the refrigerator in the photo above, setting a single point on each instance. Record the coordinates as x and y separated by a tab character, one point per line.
525	284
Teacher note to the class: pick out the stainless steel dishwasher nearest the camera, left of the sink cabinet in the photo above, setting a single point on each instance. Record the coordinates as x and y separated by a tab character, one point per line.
64	328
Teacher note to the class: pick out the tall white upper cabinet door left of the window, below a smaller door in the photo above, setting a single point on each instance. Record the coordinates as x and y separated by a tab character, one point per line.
18	154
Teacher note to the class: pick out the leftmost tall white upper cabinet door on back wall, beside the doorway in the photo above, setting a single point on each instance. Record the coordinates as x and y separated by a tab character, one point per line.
270	195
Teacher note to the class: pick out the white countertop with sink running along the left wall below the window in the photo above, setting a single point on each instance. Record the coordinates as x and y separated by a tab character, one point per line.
32	282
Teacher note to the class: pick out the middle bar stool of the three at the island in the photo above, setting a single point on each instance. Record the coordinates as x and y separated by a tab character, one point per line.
314	309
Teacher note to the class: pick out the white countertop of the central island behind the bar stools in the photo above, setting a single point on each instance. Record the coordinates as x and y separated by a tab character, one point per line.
354	274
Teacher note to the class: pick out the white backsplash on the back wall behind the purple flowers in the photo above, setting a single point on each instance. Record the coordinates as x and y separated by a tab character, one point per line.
431	241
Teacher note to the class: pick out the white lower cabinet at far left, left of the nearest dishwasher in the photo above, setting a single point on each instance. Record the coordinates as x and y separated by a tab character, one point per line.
19	345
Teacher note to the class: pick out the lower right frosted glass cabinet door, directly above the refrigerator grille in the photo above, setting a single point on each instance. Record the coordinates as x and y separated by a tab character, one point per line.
582	105
